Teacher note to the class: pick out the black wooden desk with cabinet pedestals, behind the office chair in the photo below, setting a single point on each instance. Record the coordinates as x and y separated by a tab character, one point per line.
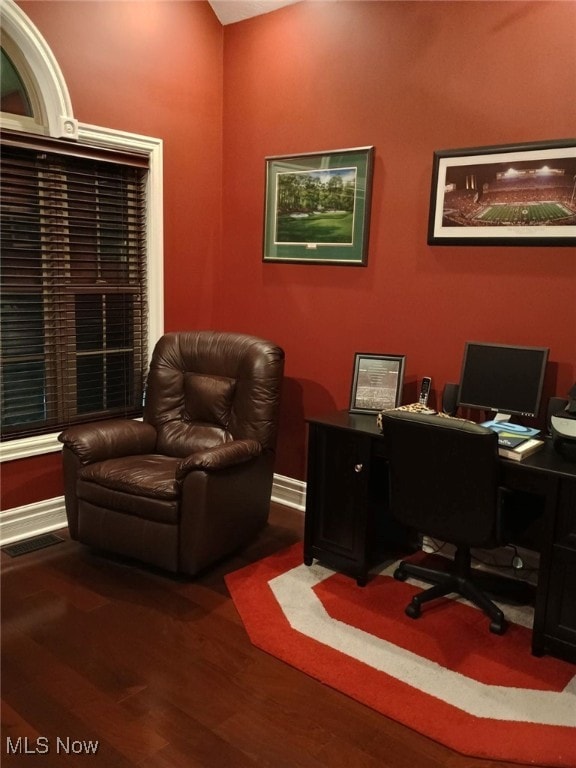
348	526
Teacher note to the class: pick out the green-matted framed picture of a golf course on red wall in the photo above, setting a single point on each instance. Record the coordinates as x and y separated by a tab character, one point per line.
317	207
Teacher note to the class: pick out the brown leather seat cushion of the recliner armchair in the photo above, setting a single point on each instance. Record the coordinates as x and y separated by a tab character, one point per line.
143	486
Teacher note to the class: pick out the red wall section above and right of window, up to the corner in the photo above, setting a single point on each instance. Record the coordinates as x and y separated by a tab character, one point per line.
155	68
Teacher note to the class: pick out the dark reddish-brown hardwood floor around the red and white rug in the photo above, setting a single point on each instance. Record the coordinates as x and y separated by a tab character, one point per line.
160	672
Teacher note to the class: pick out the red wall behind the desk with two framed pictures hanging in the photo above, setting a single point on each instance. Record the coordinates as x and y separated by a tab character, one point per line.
408	78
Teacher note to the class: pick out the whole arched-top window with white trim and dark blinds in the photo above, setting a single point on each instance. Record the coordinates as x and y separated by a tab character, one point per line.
40	181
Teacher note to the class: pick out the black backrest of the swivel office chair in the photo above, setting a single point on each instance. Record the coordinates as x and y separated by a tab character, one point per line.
443	477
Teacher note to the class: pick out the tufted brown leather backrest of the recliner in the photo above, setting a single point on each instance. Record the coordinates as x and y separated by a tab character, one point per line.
206	388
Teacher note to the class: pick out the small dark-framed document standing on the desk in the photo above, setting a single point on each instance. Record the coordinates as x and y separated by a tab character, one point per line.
376	382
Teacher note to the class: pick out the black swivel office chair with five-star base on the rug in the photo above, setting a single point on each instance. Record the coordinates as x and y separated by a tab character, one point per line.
444	482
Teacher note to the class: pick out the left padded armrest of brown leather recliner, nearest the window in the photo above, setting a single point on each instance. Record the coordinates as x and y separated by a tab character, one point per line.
109	439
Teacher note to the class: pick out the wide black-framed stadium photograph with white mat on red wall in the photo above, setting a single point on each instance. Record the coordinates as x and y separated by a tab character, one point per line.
514	194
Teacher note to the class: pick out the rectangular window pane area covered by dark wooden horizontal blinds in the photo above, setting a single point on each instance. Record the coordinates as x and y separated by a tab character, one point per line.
73	288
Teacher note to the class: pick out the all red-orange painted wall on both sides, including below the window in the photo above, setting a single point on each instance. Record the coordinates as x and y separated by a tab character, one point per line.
406	77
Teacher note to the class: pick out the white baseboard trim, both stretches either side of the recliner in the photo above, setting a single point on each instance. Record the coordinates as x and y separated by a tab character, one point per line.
49	515
